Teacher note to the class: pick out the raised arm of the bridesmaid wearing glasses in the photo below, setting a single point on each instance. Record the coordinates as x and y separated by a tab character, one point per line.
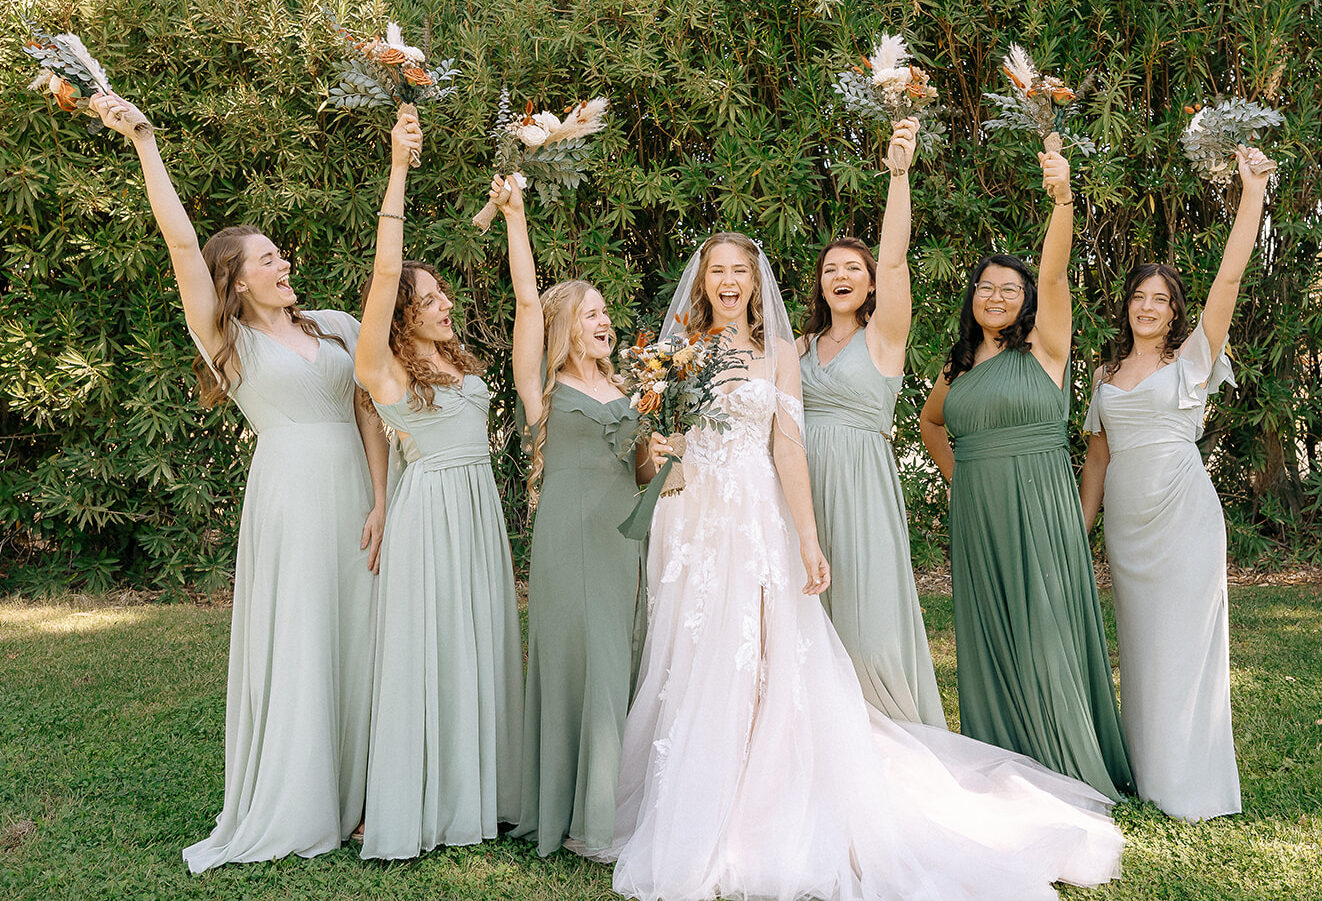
1054	327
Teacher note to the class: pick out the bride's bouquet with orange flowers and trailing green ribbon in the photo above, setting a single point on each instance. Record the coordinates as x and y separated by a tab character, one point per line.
675	385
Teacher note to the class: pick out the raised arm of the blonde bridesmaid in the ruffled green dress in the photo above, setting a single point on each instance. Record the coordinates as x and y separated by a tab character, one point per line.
529	320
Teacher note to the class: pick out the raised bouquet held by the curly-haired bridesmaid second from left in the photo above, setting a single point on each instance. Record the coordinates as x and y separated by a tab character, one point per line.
387	72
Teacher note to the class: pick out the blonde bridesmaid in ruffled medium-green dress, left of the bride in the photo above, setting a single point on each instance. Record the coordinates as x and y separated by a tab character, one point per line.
586	581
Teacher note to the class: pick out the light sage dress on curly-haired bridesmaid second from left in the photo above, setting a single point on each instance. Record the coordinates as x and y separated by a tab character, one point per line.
447	703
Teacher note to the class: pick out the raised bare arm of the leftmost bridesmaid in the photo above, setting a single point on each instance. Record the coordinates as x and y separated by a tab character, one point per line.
196	289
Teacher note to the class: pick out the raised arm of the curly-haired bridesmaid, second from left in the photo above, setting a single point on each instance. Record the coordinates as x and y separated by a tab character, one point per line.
373	363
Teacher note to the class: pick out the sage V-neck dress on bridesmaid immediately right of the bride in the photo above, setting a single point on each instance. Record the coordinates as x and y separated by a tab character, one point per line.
849	410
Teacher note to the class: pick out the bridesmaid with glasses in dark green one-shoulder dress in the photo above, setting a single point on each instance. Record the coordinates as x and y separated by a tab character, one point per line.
1032	652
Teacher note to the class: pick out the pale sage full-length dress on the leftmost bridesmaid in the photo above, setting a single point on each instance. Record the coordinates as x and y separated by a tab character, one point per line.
299	688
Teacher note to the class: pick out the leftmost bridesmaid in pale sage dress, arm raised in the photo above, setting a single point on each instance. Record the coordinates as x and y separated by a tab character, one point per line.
301	637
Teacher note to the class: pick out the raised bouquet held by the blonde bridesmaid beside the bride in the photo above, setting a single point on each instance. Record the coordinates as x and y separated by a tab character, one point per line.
543	149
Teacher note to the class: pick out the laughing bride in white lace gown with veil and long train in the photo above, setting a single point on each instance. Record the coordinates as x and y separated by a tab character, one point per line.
752	766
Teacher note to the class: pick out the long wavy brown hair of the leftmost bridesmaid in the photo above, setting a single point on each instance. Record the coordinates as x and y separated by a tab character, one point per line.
225	258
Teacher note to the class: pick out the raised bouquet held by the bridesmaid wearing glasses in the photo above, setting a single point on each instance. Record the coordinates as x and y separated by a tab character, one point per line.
1038	104
